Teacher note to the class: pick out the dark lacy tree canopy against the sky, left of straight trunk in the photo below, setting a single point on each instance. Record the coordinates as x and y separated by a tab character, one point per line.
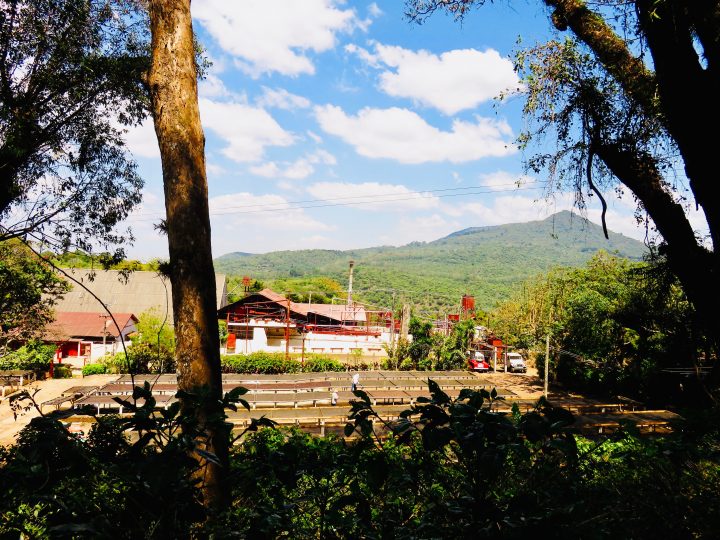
71	76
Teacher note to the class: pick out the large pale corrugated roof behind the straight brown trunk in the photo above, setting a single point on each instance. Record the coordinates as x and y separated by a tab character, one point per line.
141	292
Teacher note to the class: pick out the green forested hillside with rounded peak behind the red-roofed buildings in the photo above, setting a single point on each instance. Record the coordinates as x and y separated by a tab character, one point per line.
487	262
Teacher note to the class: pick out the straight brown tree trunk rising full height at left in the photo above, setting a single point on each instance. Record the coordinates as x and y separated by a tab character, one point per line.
173	89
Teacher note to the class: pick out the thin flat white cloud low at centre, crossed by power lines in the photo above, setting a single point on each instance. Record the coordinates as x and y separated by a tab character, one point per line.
372	196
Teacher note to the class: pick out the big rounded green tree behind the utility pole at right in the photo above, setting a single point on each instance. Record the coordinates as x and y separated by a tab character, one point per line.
614	324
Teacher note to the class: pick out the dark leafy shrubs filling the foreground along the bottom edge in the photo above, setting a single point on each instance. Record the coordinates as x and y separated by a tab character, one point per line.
447	468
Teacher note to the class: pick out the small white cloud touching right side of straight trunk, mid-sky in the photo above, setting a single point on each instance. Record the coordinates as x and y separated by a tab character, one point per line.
246	130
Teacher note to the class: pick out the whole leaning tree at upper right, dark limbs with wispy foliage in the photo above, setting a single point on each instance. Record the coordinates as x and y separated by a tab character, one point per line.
631	98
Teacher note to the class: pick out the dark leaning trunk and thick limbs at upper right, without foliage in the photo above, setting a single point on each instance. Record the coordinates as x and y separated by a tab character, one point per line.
687	85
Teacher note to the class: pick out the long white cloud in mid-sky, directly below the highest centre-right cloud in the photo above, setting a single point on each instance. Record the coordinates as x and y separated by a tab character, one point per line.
404	136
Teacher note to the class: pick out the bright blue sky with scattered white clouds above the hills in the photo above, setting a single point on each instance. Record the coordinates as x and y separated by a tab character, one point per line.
340	125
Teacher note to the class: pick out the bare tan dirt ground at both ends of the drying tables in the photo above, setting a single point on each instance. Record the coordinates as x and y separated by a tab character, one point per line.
525	385
